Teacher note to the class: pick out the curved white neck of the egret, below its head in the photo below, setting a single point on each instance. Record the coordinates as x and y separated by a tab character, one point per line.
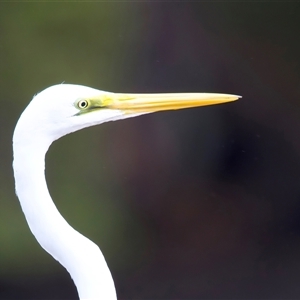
80	256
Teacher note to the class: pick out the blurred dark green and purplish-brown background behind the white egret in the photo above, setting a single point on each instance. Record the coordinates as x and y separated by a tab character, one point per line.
195	204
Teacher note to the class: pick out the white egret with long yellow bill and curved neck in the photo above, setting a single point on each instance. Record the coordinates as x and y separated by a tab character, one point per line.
53	113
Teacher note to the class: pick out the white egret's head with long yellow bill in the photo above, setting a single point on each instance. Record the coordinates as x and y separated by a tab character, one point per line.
65	108
